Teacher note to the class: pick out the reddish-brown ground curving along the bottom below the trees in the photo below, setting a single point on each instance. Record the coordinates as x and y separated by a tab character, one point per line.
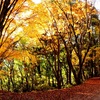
89	90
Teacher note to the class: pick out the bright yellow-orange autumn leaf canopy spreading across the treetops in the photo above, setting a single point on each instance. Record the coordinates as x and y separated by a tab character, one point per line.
34	20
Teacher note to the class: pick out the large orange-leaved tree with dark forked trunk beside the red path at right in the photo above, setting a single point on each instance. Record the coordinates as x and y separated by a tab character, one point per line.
75	33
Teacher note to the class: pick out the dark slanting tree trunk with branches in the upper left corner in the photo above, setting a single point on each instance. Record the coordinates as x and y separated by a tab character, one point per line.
6	7
